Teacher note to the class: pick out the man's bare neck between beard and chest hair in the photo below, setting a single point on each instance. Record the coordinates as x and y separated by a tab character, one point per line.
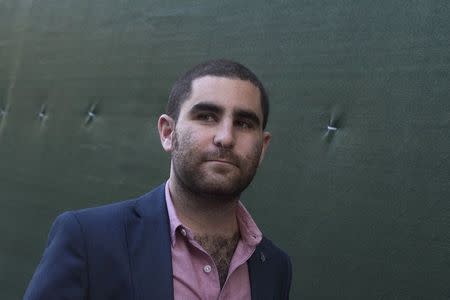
205	215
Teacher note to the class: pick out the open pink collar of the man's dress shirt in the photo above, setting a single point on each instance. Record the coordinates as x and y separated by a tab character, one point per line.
250	233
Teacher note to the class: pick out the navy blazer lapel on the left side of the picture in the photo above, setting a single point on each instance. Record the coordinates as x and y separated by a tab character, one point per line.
148	237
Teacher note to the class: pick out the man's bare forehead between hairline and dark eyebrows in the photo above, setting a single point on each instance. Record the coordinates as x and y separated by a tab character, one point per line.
226	92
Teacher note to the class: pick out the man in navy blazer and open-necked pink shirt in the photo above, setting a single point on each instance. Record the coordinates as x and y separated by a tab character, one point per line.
190	238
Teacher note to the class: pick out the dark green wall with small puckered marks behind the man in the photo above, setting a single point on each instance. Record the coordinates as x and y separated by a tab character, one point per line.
364	211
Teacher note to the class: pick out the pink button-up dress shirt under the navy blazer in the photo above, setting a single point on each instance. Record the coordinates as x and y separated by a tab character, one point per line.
195	275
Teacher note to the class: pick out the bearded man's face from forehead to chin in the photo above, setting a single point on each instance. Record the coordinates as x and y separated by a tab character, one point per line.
218	140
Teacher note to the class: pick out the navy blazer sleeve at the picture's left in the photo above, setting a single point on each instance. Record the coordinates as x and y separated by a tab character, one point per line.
62	271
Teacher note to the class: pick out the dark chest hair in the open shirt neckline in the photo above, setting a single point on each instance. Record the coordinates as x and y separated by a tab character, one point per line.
221	249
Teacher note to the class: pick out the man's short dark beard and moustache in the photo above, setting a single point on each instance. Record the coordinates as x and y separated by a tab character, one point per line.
226	182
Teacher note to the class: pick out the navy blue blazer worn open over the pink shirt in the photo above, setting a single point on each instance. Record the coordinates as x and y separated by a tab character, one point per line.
123	251
